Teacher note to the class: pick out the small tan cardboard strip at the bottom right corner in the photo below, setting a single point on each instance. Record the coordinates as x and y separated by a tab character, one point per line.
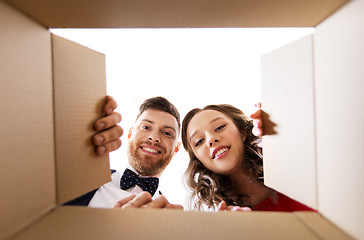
321	226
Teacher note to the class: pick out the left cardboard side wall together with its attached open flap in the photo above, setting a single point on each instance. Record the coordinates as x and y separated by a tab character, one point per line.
57	89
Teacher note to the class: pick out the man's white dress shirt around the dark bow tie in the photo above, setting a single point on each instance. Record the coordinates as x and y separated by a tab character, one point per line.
109	193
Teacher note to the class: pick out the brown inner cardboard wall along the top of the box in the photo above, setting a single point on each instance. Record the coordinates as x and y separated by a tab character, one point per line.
176	13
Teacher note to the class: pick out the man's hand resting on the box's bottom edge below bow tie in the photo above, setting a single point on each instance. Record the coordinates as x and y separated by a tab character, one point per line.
145	200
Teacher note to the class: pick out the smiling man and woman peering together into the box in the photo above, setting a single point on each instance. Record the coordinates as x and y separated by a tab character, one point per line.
225	168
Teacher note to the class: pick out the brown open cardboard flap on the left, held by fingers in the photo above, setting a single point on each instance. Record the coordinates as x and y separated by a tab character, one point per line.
79	97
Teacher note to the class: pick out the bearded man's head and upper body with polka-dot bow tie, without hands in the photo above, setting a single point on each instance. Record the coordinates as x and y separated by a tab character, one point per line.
152	143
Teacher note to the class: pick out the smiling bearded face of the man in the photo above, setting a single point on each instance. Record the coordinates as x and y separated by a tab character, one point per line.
153	142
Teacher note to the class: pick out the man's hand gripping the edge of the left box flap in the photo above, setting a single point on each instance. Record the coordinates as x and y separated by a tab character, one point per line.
108	139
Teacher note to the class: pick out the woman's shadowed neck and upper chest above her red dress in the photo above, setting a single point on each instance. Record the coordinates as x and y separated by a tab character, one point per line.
250	187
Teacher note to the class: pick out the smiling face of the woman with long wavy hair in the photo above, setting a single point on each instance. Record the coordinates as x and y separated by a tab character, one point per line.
216	141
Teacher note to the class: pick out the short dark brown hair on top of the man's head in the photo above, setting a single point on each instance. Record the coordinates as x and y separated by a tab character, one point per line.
161	104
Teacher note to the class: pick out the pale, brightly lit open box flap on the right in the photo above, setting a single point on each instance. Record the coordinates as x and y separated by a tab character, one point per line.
288	98
